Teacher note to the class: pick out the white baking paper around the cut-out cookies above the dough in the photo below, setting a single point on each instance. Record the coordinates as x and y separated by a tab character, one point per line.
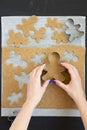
10	22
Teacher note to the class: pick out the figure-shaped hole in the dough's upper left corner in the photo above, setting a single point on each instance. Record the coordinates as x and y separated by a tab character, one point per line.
16	60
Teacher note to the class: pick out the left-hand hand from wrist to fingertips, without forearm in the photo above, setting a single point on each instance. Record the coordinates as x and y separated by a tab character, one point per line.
34	89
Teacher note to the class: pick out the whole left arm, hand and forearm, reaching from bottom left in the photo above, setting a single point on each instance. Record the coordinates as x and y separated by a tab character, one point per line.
34	94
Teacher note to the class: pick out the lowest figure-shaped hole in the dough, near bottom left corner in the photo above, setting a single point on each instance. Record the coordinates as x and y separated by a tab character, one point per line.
15	97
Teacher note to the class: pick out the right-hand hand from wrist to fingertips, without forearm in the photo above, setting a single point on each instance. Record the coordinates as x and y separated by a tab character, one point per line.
74	88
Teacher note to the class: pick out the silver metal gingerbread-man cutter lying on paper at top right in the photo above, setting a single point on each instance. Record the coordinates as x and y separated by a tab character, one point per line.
73	30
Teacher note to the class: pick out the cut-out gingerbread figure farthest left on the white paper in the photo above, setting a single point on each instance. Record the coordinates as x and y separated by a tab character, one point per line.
17	39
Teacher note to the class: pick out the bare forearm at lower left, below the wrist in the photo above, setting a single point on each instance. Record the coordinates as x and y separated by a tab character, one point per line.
23	118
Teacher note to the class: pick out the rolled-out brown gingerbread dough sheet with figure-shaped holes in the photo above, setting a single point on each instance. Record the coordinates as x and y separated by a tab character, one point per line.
59	99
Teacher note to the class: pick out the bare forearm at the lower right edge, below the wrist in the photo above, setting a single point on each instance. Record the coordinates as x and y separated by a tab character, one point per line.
82	106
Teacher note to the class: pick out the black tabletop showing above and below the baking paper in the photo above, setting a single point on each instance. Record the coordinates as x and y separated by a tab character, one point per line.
45	7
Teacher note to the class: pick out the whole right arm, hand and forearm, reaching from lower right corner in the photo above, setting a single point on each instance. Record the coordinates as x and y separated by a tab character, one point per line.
75	91
